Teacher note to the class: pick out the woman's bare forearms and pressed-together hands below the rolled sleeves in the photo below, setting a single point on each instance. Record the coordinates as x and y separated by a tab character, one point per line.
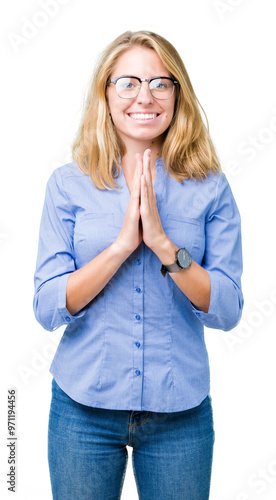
141	223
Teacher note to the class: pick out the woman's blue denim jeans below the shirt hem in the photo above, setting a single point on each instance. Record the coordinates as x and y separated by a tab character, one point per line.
172	452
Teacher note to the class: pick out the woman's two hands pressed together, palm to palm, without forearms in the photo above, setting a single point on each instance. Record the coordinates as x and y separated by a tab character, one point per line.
142	221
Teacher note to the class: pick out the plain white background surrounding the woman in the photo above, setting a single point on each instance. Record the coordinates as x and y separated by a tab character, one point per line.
228	47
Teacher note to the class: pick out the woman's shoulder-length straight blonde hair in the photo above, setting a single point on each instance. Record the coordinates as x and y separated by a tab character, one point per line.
187	152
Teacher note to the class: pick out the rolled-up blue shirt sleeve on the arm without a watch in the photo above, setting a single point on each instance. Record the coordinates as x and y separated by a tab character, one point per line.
55	258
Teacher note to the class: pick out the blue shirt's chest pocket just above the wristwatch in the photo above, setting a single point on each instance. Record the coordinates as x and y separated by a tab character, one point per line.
185	232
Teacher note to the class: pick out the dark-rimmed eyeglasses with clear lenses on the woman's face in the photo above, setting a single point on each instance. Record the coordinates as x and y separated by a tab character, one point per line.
128	87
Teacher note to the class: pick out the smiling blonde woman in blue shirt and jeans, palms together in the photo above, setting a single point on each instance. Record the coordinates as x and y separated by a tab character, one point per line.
139	248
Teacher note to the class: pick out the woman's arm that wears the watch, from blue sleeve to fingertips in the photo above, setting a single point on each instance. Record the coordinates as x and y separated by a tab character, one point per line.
213	288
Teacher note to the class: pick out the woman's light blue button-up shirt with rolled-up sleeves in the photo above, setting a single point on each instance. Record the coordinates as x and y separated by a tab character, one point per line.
139	344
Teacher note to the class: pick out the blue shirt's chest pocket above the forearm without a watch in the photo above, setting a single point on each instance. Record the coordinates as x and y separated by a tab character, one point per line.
94	232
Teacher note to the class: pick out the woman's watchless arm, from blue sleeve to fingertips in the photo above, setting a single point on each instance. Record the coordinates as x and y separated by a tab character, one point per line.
61	291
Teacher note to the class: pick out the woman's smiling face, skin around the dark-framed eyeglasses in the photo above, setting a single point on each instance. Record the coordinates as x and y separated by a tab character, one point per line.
143	118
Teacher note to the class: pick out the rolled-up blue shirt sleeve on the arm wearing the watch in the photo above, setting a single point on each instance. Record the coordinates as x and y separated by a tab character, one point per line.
223	260
